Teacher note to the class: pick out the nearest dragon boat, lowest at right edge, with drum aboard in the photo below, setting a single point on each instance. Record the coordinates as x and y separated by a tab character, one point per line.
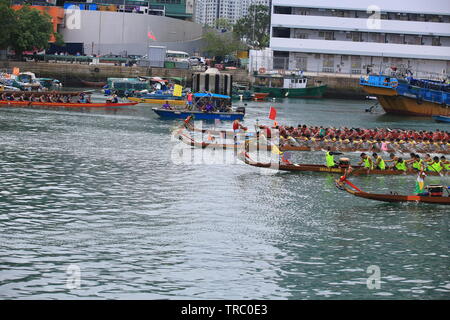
433	197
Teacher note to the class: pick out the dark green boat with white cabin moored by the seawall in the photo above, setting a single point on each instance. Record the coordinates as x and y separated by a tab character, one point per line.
293	85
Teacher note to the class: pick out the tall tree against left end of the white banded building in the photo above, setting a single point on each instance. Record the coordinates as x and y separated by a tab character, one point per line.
253	28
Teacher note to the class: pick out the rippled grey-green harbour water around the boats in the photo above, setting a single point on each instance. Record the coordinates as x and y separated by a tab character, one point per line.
101	191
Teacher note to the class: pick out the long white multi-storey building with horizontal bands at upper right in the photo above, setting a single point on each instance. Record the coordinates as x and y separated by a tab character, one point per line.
355	37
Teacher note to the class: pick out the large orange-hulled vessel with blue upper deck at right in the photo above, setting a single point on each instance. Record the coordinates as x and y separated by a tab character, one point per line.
409	96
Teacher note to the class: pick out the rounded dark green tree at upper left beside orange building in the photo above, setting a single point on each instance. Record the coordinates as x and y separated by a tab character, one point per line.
32	30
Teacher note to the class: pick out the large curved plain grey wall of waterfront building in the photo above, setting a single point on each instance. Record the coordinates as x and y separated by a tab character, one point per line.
104	32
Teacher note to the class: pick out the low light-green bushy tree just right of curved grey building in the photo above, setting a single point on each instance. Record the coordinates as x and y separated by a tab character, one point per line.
222	44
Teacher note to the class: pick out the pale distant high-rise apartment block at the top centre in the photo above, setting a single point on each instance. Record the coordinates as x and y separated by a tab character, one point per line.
208	11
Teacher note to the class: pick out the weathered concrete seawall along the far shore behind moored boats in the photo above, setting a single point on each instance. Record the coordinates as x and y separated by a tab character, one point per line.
339	86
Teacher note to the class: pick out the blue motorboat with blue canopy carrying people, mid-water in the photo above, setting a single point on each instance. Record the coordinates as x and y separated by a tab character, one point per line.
218	101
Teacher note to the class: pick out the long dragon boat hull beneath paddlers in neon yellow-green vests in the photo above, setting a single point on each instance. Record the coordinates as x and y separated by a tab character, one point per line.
357	170
